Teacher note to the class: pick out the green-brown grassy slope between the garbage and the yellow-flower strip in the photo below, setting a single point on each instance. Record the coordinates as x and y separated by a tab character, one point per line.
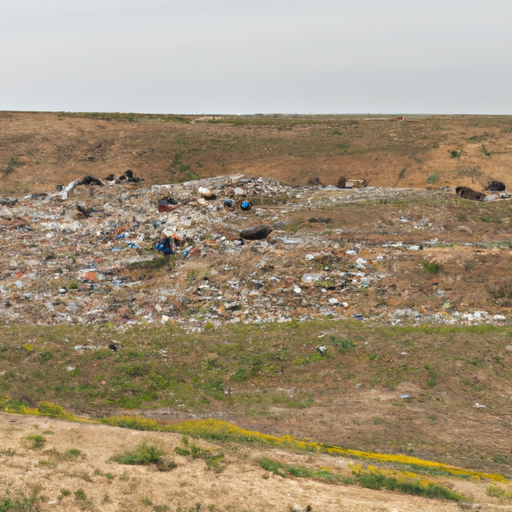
279	383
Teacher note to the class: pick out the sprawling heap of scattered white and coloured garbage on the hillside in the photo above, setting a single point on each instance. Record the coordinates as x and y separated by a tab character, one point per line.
87	254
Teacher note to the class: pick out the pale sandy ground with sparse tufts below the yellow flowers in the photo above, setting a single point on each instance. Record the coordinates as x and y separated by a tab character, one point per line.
242	486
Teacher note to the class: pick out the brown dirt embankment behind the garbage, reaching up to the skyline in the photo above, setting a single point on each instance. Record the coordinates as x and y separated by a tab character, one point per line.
41	150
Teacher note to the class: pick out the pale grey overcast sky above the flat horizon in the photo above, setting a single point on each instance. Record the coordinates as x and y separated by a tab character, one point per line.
257	56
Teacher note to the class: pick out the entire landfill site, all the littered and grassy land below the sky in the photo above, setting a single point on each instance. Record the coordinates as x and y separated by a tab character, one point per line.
281	338
